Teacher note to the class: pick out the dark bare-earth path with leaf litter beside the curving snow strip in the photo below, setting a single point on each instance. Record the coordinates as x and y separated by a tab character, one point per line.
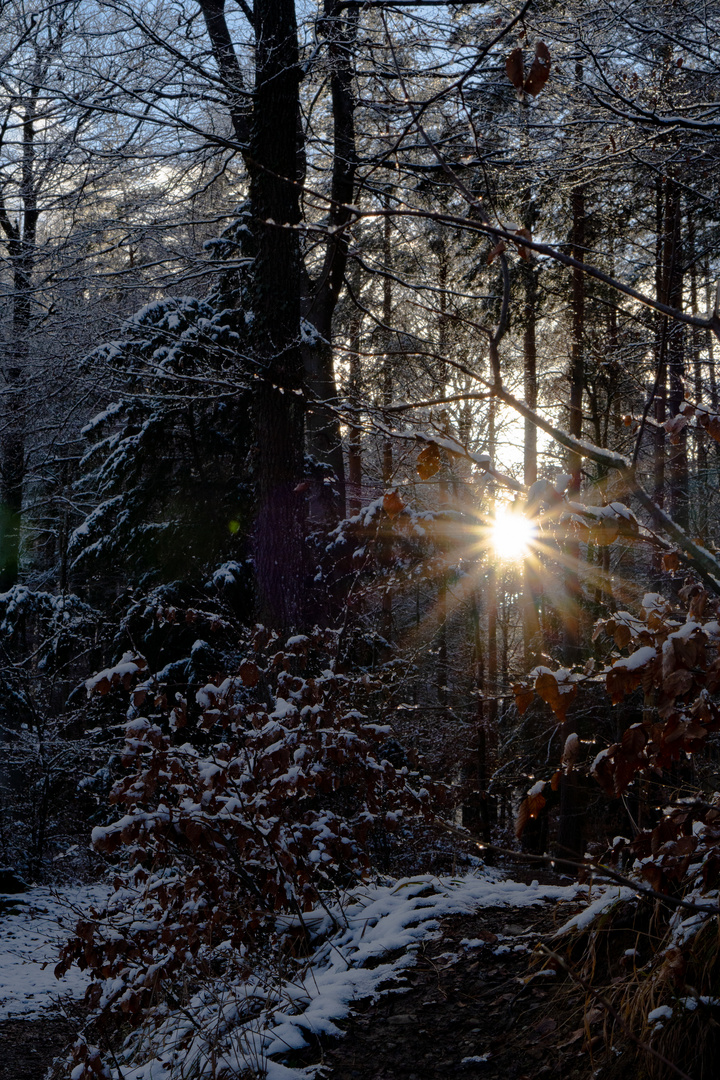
479	1005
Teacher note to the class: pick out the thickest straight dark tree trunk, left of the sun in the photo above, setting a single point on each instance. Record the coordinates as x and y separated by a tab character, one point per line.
279	409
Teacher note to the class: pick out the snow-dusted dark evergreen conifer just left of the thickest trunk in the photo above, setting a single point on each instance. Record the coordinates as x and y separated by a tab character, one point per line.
166	476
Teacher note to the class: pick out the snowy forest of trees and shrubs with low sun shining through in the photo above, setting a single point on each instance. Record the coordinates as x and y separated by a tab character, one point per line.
360	457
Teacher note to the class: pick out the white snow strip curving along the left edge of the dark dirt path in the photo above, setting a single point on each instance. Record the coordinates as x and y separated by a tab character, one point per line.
363	947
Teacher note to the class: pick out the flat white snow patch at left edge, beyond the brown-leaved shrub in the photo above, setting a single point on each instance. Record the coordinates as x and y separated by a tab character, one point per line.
33	927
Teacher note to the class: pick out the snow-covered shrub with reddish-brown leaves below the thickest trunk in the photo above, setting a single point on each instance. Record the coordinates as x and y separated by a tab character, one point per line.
265	808
